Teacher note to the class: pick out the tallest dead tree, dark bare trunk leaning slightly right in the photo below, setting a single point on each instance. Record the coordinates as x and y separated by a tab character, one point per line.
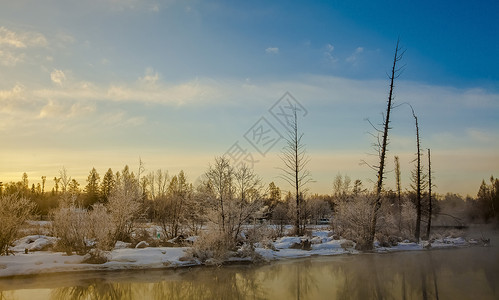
382	147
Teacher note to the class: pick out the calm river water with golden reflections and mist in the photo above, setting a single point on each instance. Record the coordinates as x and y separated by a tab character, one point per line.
468	273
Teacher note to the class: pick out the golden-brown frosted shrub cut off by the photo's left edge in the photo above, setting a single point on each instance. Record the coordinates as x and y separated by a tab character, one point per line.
14	211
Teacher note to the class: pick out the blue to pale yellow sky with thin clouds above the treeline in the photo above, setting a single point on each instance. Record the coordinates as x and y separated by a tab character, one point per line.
106	83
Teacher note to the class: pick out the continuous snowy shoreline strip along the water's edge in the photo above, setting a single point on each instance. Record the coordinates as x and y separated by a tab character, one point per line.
34	264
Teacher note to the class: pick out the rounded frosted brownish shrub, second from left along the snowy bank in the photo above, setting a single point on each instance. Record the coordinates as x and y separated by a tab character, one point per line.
71	224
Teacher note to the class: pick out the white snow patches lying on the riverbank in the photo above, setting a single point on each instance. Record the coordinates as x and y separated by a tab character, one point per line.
37	260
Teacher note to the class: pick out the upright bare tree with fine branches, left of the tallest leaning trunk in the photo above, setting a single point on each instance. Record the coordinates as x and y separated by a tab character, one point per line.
295	161
